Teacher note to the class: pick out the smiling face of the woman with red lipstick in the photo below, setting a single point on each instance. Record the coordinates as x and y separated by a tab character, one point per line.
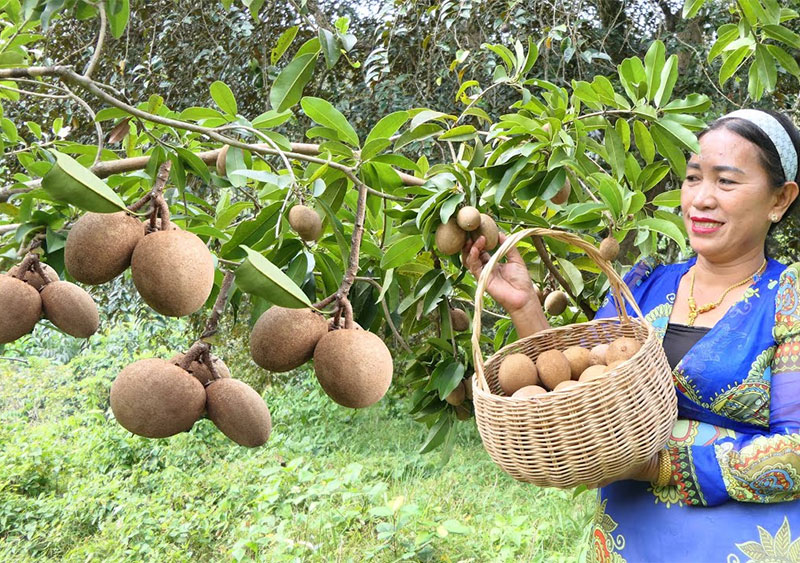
726	198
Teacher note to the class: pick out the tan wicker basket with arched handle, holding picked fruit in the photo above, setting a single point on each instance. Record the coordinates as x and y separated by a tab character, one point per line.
589	433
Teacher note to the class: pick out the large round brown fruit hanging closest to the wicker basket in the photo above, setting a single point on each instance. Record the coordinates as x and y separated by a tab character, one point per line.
354	367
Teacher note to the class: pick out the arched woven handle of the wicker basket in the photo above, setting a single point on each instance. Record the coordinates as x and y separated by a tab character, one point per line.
619	290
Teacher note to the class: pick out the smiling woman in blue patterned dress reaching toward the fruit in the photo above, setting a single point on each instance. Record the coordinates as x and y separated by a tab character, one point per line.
725	487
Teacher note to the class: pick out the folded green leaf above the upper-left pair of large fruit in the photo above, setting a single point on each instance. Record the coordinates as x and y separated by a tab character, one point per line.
72	183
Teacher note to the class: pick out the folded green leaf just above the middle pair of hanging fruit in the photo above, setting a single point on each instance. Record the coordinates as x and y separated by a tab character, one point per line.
258	276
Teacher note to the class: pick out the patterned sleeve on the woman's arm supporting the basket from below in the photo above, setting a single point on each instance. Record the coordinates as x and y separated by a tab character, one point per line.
762	468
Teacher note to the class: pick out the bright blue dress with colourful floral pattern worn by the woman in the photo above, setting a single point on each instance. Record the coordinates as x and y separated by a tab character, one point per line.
735	448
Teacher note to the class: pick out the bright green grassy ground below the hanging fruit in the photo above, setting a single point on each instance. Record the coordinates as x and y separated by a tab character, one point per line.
332	484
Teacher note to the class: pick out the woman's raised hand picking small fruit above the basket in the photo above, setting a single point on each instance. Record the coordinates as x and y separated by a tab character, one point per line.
510	283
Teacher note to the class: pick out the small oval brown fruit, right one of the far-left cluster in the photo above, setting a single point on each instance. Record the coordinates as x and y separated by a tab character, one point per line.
70	308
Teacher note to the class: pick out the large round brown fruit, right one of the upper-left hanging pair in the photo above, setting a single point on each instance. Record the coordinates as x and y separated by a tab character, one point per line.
173	271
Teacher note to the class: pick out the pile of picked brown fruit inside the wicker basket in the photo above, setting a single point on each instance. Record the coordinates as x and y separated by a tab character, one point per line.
521	377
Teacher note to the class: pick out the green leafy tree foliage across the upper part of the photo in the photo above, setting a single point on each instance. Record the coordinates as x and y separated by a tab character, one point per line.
386	118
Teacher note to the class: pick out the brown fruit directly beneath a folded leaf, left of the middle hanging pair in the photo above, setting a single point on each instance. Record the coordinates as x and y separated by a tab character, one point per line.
283	339
